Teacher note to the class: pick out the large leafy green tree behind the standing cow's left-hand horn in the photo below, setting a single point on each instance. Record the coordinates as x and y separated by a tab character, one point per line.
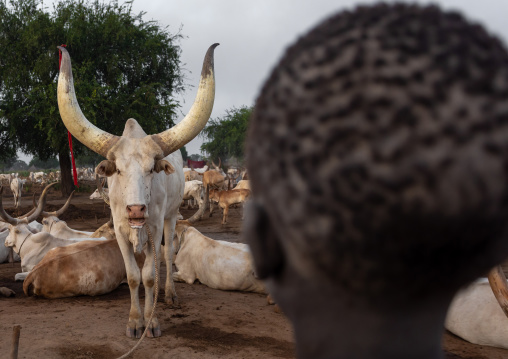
123	67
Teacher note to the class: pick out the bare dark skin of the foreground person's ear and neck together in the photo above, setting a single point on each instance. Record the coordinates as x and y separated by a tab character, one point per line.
328	321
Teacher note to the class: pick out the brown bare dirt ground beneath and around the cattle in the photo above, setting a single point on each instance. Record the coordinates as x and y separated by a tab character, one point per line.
210	323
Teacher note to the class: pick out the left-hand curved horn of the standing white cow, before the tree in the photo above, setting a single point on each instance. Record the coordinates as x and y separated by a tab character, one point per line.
91	136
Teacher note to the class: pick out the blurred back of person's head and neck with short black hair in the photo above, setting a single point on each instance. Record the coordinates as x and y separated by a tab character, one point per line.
378	155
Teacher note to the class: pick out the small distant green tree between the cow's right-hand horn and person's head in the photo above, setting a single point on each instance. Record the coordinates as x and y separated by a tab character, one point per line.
225	137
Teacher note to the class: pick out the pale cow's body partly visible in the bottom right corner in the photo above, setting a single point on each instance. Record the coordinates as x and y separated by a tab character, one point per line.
475	316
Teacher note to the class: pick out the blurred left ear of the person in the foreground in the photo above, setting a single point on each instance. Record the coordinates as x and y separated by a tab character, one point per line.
263	241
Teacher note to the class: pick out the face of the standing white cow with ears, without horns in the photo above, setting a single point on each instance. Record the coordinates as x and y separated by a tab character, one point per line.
131	171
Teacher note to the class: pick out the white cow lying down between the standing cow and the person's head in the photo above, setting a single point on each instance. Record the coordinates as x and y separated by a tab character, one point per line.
216	264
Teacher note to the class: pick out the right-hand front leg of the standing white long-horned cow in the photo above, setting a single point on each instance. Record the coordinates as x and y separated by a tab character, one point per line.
149	271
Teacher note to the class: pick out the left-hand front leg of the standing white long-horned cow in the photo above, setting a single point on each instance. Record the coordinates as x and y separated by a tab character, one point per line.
135	324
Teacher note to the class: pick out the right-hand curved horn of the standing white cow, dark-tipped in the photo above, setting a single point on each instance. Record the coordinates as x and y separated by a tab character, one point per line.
177	136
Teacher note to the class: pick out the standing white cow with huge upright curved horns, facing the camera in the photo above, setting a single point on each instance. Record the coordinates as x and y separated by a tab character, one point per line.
145	181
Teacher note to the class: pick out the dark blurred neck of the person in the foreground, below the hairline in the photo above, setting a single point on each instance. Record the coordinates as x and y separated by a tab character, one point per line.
329	324
